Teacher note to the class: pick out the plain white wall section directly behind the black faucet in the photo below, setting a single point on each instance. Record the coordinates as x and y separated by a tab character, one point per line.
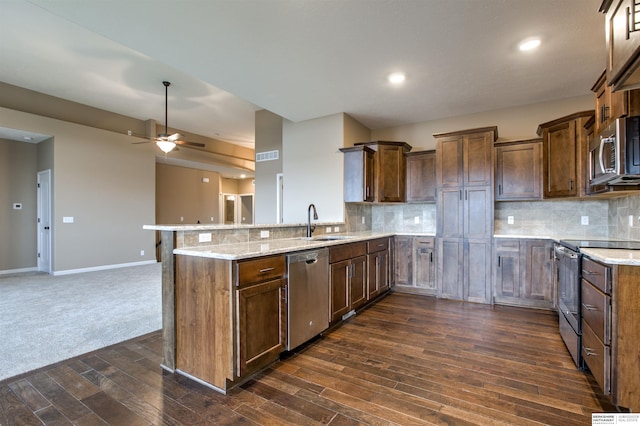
313	168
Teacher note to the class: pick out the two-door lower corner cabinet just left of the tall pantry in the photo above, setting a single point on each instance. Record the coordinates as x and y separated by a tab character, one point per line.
415	260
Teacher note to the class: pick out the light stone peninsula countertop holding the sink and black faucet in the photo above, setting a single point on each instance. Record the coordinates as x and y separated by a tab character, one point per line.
251	249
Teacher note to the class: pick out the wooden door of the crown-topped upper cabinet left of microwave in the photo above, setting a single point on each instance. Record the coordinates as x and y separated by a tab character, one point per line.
560	158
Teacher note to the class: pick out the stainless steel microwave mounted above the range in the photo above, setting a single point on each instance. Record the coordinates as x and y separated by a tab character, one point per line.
614	155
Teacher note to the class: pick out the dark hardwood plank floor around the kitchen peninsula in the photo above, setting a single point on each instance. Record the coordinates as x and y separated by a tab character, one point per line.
406	360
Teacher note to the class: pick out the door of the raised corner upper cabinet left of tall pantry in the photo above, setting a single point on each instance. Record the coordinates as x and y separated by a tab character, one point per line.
391	173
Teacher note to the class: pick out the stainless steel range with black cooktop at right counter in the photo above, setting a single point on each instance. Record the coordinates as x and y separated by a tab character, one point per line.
568	269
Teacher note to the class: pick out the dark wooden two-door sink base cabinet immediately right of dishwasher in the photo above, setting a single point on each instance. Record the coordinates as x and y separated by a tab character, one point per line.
348	278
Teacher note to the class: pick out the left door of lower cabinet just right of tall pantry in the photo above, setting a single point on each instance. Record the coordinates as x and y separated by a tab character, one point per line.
507	279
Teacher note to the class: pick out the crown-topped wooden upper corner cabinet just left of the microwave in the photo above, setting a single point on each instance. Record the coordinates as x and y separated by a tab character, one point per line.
564	151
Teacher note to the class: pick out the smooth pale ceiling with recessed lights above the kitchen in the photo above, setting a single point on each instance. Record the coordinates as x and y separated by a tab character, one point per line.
300	59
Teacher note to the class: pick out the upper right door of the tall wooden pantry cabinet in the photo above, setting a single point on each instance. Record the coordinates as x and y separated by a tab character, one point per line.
477	164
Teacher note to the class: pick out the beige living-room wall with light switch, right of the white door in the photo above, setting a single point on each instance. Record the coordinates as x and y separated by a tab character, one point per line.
105	183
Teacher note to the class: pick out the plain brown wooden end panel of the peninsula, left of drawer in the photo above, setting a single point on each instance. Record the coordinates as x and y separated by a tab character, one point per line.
204	319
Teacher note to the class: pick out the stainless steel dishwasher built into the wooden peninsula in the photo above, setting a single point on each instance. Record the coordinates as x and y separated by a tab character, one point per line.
307	295
